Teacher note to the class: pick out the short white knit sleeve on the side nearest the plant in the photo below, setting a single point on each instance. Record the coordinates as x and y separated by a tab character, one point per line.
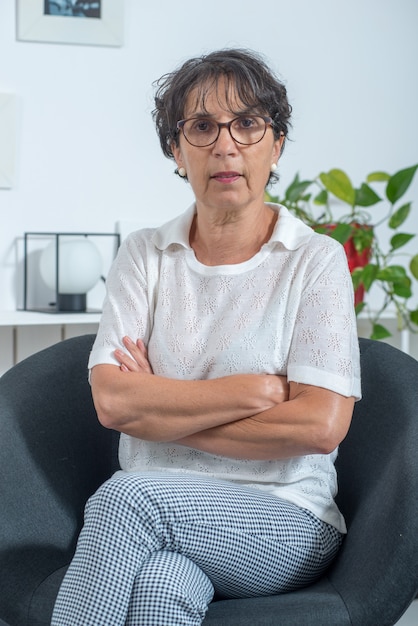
324	349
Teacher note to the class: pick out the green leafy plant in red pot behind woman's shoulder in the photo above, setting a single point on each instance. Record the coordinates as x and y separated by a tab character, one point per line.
331	204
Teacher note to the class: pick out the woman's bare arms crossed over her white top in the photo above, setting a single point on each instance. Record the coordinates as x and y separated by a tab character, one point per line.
251	416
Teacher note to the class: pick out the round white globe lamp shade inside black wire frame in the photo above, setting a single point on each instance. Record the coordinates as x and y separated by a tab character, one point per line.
79	265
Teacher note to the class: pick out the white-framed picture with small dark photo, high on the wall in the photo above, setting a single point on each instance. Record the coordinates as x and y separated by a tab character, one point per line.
95	23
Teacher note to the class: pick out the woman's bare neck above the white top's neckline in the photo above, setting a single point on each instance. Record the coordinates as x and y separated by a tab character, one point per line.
231	237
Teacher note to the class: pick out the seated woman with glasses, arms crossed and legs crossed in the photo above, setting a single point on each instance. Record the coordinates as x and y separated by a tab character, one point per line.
227	357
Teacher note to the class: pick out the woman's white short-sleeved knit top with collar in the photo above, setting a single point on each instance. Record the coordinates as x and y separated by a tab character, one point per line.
288	310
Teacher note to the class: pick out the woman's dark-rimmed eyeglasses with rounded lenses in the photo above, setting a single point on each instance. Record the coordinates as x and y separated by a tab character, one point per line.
244	129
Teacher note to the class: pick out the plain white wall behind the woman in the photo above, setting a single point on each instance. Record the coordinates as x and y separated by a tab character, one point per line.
87	151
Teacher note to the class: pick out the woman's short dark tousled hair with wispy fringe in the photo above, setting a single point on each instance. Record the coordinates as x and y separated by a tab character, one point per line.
256	85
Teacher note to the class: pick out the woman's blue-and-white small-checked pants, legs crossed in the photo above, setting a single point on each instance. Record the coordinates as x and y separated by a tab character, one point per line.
156	547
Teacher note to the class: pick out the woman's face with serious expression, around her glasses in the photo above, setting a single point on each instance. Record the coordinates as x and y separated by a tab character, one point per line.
226	174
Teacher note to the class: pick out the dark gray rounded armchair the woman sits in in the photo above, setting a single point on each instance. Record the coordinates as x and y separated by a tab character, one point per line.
54	454
